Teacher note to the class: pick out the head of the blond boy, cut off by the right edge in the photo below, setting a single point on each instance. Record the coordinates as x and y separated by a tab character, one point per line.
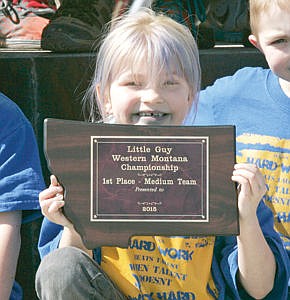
270	24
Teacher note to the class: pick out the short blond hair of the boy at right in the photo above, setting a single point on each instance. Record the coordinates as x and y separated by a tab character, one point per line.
259	7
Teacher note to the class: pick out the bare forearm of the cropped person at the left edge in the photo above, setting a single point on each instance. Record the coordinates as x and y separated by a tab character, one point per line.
10	223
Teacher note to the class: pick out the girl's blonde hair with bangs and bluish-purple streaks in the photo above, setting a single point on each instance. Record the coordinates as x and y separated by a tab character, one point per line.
144	36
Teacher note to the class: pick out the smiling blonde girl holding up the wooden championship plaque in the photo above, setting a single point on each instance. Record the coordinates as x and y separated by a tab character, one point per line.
147	72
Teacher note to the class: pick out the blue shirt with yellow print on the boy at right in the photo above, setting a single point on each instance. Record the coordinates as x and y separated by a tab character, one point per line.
253	100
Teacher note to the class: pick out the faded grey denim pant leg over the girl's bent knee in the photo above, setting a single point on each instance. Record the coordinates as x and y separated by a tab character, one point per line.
69	273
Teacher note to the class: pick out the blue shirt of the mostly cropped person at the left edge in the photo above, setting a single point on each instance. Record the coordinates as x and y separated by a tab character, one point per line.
20	170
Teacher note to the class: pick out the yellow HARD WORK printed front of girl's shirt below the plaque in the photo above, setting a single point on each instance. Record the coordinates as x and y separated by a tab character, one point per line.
162	267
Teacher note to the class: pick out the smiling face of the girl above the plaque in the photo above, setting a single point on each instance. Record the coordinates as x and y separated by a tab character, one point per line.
134	99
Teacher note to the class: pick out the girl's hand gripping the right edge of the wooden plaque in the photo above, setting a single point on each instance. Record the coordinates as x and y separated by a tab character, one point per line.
251	188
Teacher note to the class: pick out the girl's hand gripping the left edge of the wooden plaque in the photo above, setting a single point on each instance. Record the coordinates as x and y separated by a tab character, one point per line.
51	203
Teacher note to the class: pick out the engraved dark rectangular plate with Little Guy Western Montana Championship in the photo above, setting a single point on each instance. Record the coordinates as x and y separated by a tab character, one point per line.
154	178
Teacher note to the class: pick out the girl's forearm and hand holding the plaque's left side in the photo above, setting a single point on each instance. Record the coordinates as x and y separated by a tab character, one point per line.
51	202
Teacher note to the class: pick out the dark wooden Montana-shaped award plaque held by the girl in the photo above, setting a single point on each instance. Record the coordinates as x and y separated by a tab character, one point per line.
125	180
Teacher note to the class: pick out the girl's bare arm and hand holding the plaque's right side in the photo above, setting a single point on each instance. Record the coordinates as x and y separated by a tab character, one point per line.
257	266
